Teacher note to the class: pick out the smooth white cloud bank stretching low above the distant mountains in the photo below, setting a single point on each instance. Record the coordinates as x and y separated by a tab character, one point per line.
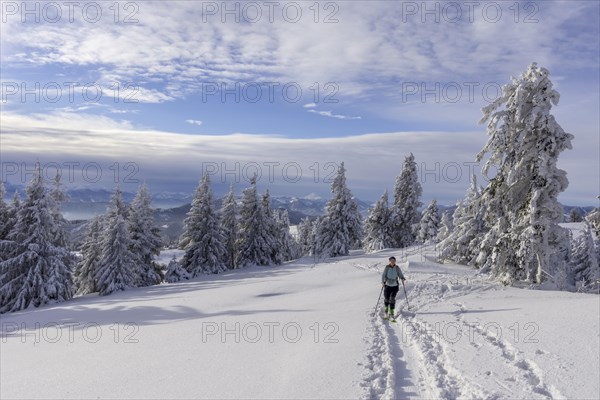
373	160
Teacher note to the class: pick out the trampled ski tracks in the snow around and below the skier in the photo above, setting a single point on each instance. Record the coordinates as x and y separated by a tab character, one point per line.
390	360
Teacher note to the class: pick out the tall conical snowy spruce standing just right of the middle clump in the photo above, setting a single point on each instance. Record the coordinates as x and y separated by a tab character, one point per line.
341	229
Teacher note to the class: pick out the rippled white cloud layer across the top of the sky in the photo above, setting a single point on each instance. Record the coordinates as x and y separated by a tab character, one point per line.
373	43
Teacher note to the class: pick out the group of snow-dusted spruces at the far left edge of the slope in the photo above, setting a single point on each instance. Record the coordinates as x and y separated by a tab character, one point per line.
36	265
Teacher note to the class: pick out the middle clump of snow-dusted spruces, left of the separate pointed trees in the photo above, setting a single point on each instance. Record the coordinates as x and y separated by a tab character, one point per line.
236	236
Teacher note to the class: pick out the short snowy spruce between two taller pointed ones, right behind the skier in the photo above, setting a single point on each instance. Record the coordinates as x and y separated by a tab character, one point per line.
379	226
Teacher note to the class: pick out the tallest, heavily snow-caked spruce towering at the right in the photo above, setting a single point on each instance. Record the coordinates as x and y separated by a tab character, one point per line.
523	212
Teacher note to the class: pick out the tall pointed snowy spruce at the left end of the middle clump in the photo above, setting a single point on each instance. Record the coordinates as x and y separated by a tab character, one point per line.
205	249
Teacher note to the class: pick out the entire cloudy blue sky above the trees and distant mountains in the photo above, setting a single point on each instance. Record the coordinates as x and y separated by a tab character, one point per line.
392	78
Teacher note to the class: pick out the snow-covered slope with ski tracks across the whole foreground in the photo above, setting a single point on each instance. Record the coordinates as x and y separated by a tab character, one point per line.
307	331
